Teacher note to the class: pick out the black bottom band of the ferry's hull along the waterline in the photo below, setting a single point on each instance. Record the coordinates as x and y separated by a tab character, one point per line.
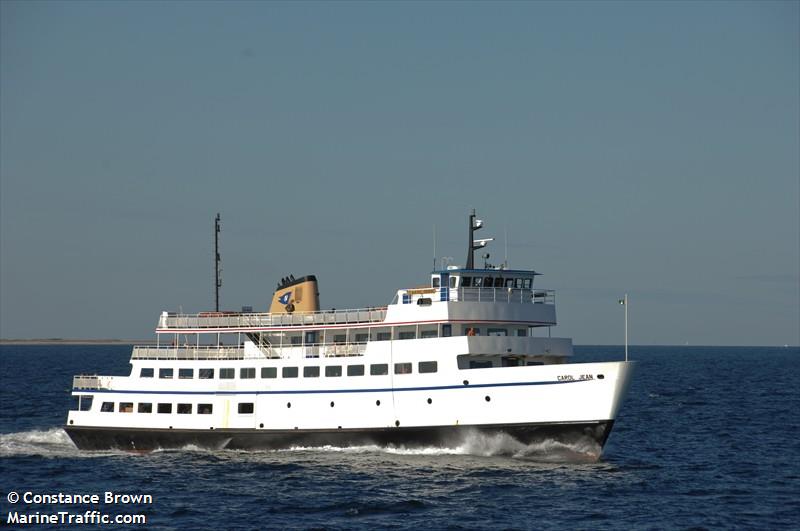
143	439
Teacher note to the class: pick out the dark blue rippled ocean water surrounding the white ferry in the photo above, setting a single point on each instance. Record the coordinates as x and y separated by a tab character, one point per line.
709	437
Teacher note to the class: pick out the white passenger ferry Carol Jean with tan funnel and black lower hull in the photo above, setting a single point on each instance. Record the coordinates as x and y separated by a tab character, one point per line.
469	352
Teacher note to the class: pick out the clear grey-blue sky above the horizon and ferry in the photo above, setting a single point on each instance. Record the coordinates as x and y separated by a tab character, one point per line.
647	148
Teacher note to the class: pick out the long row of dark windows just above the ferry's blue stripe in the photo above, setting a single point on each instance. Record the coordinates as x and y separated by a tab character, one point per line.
313	371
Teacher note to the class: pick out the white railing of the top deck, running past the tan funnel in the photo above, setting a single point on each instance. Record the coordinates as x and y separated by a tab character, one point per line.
258	320
